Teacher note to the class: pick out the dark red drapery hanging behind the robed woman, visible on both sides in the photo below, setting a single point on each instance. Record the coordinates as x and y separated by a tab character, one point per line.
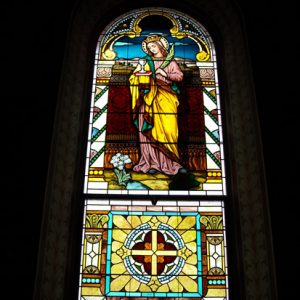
121	134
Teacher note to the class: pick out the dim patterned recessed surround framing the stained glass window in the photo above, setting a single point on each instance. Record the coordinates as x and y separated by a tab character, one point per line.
63	200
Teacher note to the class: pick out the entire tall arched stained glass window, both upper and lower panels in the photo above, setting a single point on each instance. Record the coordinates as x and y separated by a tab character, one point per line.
155	130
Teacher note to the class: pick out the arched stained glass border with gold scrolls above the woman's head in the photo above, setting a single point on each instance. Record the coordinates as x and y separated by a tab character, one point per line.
181	27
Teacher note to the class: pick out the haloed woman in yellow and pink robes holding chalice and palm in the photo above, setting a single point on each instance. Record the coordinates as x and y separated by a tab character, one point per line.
154	103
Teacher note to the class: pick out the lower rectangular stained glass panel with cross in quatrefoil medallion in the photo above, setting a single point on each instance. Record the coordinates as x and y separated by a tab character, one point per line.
142	251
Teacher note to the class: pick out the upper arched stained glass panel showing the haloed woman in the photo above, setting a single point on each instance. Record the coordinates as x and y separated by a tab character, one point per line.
155	121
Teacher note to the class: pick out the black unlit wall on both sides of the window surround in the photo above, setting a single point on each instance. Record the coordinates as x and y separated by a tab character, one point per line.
34	39
